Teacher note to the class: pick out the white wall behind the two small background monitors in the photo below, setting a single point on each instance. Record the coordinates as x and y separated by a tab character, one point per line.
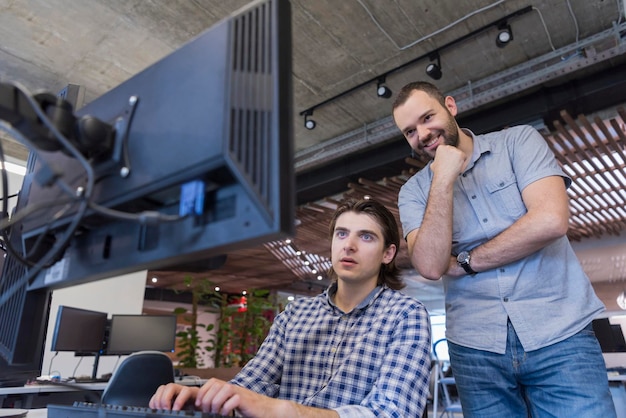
119	295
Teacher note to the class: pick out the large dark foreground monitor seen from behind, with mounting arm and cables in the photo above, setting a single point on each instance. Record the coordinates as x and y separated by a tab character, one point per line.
186	161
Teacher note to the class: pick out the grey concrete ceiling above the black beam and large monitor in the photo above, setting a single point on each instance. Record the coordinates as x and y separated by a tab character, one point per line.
337	47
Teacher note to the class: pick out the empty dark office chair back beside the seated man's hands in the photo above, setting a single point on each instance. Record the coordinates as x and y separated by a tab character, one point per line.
137	378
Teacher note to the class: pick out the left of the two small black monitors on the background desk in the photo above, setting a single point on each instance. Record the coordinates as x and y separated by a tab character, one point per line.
79	330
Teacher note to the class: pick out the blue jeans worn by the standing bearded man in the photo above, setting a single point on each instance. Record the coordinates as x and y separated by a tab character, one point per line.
564	380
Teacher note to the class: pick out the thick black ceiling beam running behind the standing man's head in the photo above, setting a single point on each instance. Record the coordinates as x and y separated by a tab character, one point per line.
594	92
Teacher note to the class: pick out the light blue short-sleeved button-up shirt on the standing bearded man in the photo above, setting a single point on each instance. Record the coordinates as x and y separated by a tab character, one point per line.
547	295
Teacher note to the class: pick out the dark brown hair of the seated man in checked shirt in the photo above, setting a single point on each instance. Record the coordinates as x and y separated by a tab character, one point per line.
389	274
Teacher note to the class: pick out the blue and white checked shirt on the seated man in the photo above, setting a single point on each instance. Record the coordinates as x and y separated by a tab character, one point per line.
373	361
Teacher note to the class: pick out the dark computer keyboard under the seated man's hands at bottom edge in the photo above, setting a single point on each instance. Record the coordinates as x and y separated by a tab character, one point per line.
92	410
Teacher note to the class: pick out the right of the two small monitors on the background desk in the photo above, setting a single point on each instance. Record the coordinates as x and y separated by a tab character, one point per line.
131	333
